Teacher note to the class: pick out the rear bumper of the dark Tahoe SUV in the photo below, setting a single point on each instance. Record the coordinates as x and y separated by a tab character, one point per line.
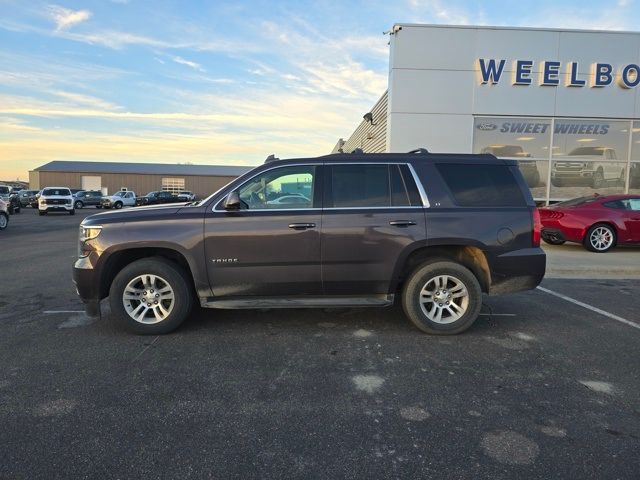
517	271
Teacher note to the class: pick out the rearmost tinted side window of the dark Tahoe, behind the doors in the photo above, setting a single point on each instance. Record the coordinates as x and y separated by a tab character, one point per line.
482	185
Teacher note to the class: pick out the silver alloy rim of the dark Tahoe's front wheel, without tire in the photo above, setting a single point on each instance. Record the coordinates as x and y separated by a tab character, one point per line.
148	299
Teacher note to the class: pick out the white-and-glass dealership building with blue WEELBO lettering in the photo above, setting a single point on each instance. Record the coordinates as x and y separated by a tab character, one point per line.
564	103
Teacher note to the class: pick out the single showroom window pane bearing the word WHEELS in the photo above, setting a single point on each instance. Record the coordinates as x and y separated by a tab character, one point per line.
589	156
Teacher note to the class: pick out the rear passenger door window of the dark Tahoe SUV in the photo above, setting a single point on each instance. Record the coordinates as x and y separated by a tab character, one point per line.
367	186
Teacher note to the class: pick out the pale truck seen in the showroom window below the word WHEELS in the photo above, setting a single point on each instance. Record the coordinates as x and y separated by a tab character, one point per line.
596	167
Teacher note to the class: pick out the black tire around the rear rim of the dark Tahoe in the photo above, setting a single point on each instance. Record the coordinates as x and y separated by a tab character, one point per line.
426	273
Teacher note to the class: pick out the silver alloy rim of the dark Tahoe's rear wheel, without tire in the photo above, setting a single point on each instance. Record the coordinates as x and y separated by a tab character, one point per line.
444	299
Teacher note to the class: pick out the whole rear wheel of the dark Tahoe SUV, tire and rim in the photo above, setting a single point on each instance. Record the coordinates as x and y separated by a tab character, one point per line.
442	298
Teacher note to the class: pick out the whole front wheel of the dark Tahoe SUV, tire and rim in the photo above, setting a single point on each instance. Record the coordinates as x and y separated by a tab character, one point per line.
151	296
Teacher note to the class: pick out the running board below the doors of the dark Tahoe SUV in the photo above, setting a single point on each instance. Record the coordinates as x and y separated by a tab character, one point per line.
302	302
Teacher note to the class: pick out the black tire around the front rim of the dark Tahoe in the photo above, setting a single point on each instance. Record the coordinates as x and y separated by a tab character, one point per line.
173	275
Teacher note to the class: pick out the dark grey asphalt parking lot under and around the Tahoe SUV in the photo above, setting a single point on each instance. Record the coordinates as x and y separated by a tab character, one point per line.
540	387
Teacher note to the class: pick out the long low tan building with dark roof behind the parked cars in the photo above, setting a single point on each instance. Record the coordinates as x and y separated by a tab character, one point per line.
141	178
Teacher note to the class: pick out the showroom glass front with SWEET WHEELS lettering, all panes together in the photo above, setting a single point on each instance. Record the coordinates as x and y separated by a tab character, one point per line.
565	158
